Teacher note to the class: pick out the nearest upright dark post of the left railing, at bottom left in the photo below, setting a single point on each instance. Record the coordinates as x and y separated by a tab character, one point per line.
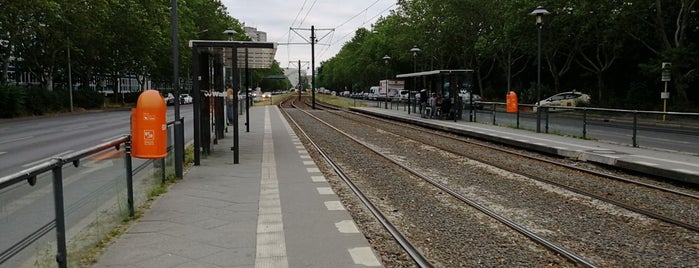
61	249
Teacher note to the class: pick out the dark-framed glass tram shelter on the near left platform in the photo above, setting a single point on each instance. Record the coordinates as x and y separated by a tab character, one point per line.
216	66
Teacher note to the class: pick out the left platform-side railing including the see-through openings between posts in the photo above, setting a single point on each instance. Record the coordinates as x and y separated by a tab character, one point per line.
96	180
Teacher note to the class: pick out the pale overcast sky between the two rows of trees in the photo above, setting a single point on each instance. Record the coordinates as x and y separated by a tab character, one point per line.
335	22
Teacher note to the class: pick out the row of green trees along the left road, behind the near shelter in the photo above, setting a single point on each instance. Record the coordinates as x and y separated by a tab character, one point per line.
106	38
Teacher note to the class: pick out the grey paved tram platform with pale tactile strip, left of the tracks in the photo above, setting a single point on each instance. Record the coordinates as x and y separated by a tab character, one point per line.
273	209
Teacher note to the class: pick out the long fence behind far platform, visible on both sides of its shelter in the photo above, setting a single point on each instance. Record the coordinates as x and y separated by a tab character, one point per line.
627	127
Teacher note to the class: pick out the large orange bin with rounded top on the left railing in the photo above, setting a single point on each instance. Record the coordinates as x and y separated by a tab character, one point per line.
149	126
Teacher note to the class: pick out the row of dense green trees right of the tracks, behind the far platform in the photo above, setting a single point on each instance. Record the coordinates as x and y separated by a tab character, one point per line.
611	49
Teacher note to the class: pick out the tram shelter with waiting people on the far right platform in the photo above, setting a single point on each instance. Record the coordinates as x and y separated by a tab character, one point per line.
446	83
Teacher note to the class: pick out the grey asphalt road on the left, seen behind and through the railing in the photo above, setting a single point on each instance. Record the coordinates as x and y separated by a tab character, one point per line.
90	190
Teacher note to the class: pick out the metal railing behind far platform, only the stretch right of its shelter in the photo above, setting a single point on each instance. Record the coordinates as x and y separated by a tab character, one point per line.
588	122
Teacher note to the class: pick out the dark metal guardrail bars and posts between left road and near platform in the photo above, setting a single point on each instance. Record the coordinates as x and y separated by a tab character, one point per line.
55	166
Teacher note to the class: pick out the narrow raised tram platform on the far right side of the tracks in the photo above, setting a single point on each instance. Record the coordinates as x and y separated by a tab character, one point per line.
670	165
